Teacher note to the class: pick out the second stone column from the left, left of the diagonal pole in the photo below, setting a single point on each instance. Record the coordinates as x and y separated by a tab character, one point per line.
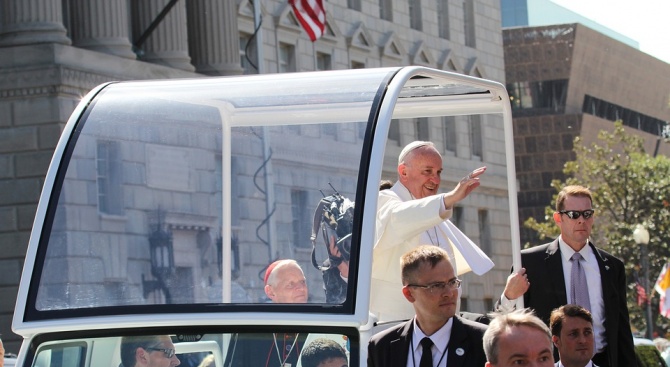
101	25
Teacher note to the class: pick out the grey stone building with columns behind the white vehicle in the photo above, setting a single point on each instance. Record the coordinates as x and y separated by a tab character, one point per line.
52	52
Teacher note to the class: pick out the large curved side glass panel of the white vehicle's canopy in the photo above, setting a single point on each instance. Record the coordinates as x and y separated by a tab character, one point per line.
160	182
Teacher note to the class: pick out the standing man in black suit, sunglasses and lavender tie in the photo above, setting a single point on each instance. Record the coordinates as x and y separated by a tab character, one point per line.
545	279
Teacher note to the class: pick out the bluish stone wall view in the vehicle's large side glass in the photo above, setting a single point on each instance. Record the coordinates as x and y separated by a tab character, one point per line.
141	209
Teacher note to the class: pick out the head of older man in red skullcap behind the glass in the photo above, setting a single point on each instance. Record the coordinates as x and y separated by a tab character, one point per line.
289	286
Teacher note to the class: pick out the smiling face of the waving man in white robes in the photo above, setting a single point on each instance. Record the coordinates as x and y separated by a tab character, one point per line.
420	173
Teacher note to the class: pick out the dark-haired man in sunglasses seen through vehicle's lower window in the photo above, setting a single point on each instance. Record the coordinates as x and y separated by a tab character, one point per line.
148	351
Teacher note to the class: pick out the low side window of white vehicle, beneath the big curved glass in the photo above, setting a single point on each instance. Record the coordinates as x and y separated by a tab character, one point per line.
278	348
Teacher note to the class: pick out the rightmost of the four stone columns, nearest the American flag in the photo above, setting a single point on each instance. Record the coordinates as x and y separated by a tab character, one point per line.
214	37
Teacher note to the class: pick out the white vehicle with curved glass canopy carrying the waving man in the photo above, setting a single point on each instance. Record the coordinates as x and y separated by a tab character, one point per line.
172	208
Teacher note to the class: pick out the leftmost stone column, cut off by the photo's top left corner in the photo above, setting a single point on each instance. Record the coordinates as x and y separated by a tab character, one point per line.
25	22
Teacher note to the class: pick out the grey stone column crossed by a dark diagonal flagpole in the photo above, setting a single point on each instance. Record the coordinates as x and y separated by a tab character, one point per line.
168	43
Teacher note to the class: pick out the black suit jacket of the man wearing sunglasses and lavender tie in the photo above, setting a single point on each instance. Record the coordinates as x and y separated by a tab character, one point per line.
547	291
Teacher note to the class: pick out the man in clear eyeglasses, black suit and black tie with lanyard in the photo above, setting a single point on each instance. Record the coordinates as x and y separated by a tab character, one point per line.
429	283
